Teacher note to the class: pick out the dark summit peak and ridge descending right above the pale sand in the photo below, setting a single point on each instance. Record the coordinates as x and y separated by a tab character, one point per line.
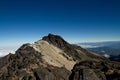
78	53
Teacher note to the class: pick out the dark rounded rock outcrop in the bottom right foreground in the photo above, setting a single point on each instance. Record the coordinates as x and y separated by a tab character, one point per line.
95	70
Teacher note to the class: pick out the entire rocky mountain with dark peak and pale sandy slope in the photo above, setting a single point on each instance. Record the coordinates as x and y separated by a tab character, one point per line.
53	58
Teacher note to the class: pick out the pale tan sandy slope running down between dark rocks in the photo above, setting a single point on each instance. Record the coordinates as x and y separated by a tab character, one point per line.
52	56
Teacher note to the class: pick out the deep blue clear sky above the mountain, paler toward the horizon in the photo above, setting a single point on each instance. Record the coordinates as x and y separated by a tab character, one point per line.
76	20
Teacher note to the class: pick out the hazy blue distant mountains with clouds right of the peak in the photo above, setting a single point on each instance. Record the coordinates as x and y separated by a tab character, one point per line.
110	49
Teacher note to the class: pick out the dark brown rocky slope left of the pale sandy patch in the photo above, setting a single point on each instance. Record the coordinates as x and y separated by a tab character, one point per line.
27	64
